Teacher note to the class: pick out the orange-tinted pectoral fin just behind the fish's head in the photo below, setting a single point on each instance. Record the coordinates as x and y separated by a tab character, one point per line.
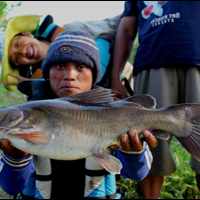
36	137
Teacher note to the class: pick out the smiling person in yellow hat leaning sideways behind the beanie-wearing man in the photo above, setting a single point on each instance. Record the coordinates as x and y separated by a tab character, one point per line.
27	41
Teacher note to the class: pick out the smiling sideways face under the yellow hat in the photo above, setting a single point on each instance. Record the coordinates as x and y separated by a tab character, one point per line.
25	50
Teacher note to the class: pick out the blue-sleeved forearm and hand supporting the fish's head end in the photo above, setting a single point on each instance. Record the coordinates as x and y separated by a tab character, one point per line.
16	168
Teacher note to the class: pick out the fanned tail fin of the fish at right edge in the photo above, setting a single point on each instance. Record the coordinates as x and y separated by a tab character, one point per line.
189	134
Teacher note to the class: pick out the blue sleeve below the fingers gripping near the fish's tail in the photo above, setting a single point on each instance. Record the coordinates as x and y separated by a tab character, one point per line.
135	166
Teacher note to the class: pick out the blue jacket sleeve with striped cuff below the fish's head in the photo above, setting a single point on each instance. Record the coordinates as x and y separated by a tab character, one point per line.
14	173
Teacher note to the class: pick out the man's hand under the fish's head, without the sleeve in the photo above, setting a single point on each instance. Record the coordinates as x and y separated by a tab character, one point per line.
10	150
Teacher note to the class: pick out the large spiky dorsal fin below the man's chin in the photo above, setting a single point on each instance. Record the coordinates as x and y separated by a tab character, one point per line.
98	96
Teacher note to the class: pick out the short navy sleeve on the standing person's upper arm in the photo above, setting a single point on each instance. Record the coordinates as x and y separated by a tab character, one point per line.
130	9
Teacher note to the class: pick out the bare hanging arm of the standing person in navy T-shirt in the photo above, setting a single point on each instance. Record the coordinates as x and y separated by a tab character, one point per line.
123	45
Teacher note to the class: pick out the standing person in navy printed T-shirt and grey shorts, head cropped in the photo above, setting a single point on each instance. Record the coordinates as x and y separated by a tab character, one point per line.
166	66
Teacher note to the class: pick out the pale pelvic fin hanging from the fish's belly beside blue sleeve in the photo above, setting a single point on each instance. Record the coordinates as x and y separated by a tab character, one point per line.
110	163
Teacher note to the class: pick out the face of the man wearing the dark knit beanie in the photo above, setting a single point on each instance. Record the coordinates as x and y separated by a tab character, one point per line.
70	78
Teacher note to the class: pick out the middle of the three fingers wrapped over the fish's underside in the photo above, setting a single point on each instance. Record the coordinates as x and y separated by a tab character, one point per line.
135	141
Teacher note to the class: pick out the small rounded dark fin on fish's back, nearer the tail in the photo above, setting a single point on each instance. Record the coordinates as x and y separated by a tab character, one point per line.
144	100
